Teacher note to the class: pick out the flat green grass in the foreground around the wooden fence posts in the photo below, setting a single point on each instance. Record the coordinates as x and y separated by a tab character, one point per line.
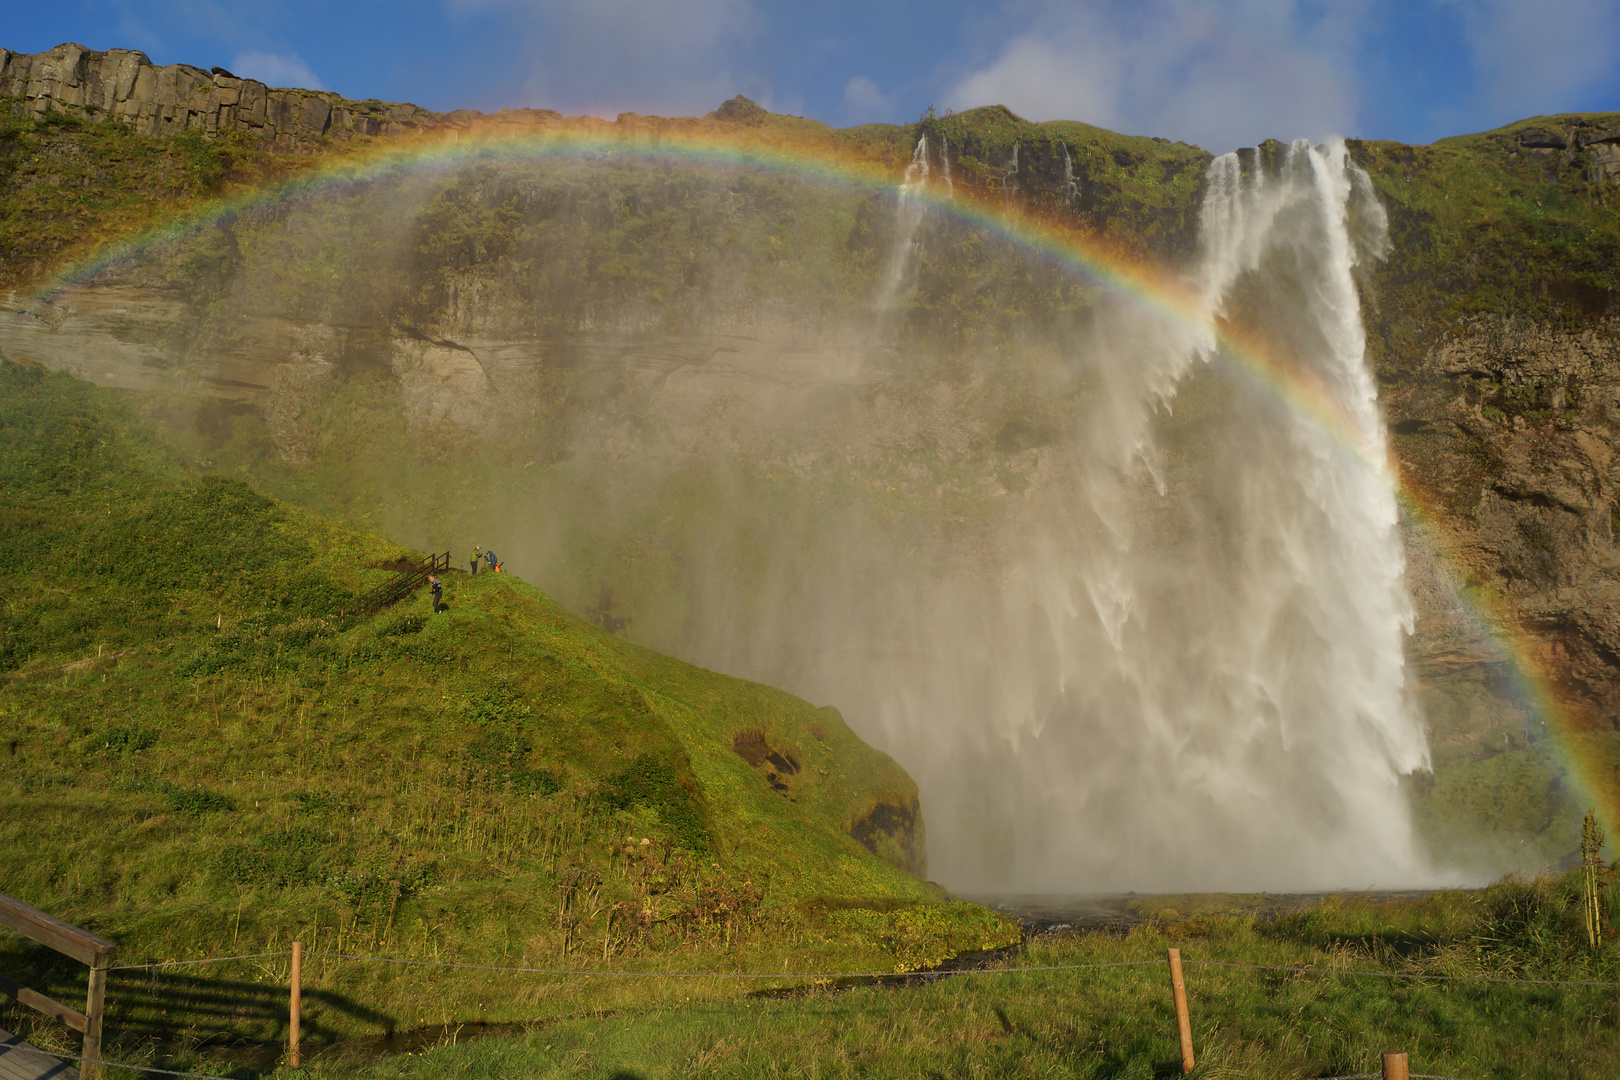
1112	1023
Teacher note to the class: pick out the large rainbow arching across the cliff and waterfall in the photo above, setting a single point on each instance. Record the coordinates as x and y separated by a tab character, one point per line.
1057	244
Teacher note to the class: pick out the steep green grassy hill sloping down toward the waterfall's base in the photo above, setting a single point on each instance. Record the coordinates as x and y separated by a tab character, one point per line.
205	757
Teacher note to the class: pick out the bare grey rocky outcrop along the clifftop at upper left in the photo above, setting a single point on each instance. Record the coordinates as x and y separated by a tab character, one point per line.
124	85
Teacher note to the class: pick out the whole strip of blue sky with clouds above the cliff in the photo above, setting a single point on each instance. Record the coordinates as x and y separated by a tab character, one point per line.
1219	74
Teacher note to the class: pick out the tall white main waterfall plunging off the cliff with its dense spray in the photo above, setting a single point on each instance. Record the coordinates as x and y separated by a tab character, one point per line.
1188	671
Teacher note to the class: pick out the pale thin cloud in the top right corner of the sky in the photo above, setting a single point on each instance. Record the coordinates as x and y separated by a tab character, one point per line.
1538	56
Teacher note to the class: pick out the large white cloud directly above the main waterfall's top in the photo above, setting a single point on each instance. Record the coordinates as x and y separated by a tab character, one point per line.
1209	72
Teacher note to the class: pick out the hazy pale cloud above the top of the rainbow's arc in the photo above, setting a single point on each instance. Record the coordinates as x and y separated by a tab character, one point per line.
670	57
